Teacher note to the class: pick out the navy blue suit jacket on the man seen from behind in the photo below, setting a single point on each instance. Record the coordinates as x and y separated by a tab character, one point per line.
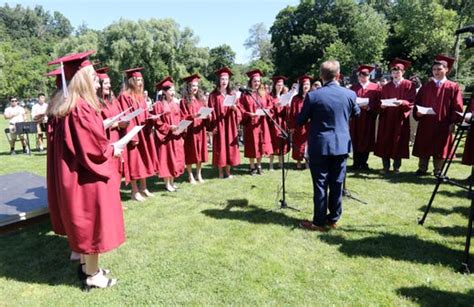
329	109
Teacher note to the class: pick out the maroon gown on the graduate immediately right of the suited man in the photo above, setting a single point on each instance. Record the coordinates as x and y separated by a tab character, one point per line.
362	128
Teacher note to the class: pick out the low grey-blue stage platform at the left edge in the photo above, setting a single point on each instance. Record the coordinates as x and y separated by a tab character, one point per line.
22	196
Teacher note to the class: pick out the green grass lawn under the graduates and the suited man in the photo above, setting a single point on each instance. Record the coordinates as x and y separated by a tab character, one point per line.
225	242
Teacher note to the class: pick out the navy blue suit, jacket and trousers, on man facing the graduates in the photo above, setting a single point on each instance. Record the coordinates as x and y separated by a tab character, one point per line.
329	142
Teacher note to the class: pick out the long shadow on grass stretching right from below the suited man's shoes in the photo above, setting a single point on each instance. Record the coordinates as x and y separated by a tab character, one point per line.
397	247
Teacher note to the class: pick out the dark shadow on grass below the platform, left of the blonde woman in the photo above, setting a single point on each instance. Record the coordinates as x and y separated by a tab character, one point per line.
35	255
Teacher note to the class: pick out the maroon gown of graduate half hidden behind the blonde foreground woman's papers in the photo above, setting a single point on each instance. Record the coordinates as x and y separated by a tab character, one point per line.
111	109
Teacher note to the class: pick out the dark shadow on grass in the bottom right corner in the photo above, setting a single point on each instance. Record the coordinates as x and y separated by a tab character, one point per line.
425	296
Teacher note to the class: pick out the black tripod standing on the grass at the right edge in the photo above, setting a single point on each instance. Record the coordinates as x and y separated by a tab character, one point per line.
442	177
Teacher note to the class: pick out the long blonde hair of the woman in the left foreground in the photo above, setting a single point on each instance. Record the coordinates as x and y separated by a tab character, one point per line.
80	86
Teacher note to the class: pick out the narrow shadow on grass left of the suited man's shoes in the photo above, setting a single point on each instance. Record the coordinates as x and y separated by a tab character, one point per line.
251	214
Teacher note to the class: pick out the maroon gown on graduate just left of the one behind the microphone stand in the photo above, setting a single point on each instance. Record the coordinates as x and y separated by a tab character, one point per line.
257	135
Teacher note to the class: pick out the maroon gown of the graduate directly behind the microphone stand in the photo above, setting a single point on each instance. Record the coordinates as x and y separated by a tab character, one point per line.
280	115
